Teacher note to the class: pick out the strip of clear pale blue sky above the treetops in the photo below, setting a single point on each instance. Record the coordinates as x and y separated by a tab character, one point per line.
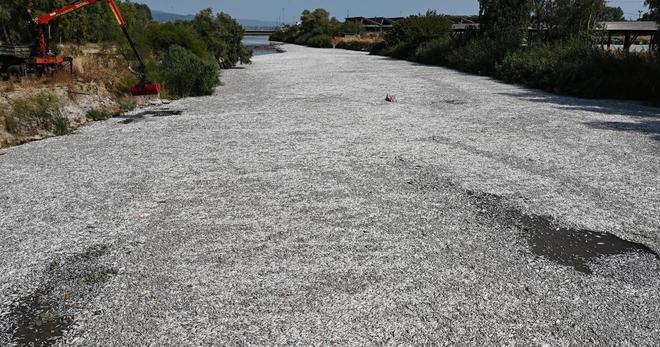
273	9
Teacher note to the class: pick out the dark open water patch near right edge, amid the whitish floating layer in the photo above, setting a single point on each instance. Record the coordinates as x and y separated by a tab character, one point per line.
565	246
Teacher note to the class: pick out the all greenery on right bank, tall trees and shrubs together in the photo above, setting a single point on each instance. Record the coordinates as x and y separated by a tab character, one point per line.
564	59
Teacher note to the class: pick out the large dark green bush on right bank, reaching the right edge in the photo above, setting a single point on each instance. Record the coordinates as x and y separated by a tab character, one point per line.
577	68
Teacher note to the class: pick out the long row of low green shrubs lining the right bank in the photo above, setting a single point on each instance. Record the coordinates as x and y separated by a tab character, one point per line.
576	67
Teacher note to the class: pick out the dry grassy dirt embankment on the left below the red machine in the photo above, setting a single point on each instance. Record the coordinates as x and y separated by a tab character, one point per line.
33	109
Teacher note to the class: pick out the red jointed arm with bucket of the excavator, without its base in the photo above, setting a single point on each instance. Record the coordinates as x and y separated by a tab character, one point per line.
144	87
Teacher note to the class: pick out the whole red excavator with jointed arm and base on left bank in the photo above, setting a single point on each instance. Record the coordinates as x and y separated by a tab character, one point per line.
44	60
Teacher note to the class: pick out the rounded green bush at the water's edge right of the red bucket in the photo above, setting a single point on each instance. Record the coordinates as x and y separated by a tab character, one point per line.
185	74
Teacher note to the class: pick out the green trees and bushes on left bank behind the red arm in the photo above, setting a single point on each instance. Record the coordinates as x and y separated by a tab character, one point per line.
213	39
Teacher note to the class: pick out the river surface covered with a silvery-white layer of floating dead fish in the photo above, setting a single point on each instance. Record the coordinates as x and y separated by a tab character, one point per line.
296	206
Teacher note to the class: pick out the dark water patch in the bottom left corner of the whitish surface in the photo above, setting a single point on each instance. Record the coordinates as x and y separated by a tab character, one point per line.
43	316
